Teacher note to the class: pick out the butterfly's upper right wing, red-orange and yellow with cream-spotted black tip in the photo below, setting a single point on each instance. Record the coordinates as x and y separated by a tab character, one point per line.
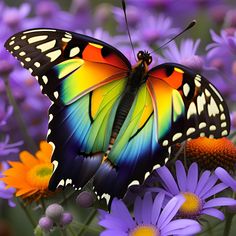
186	105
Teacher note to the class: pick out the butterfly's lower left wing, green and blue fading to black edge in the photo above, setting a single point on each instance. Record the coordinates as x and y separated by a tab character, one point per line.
80	133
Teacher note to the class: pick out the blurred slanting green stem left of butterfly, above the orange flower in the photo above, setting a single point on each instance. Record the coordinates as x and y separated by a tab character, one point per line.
22	126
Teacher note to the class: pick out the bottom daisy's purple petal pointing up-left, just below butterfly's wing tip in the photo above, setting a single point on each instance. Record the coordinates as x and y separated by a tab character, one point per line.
119	209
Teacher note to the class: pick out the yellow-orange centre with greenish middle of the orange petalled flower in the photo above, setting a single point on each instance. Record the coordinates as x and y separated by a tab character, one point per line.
40	175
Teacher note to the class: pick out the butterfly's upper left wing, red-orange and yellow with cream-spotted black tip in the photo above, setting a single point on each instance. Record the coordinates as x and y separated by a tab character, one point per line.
60	59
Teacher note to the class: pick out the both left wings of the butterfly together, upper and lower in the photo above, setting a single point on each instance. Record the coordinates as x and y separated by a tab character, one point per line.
84	78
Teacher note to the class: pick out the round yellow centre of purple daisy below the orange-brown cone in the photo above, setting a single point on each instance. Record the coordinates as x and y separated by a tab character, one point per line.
191	206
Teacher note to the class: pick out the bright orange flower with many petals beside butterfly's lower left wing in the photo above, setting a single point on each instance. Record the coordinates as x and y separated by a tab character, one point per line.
31	175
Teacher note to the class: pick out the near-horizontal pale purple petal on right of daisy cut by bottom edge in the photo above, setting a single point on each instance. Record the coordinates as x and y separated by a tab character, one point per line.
181	227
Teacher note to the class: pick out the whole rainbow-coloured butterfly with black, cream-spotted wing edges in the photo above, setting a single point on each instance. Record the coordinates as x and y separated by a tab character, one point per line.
110	122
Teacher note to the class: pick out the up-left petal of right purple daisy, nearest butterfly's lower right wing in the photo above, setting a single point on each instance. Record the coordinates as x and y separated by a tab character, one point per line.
168	180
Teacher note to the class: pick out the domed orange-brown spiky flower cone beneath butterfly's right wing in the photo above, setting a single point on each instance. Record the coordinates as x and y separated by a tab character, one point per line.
211	153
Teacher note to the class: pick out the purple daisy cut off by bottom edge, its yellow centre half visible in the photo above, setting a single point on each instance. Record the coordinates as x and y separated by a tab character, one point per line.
149	218
